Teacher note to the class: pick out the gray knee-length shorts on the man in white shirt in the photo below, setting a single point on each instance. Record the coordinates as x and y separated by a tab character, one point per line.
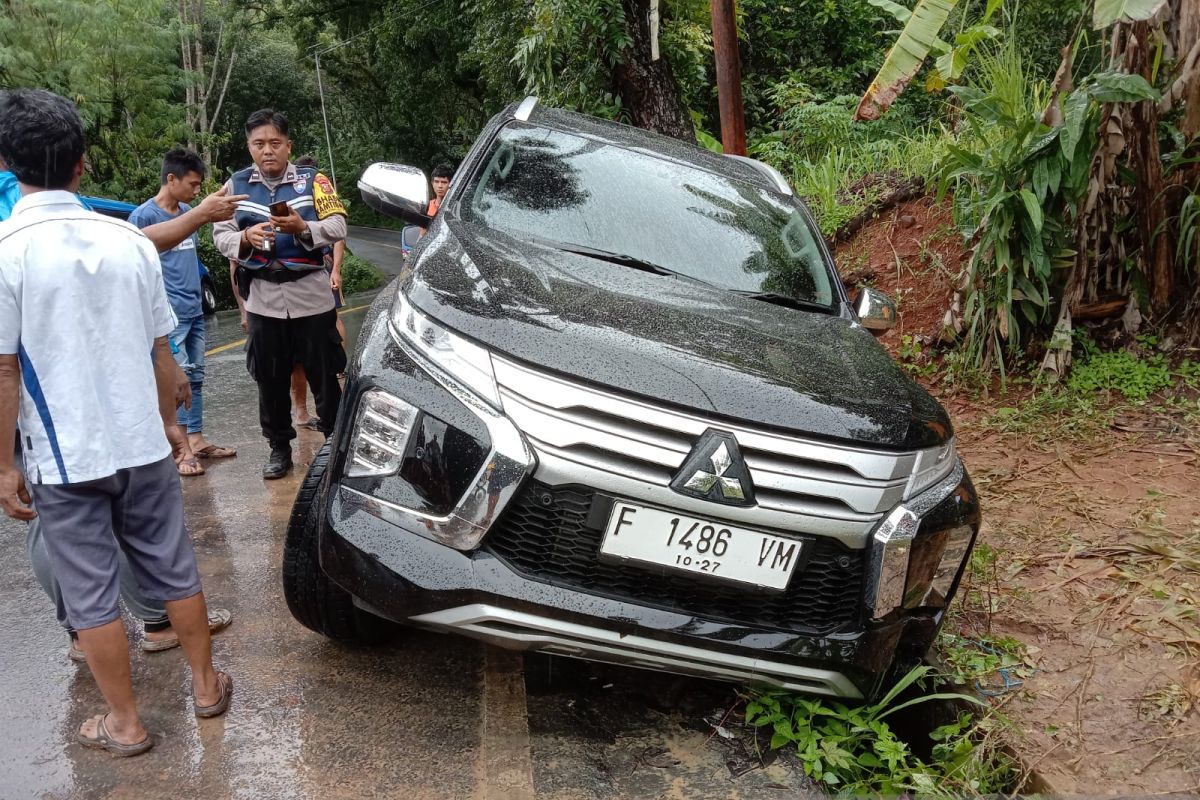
139	510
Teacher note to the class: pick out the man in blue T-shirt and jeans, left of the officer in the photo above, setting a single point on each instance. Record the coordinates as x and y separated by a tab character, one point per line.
183	173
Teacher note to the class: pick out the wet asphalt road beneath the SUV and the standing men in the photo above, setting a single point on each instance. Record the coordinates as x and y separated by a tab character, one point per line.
425	717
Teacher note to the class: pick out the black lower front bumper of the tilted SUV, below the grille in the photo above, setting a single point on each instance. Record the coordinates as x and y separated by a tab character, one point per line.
416	581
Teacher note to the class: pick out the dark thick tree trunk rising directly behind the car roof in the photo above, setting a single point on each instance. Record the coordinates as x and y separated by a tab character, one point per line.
647	88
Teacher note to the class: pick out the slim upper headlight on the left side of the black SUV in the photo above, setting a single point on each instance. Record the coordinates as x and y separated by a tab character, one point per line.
463	360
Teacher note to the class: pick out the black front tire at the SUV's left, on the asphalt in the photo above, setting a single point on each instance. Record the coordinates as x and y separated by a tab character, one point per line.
316	601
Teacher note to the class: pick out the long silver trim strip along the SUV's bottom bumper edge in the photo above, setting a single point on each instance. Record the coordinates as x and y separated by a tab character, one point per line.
523	631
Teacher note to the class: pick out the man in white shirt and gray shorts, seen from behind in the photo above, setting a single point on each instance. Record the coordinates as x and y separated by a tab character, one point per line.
83	346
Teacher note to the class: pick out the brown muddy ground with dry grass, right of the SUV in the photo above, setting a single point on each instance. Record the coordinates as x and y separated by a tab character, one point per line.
1097	573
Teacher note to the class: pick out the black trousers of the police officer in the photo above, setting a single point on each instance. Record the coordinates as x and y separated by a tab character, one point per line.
275	347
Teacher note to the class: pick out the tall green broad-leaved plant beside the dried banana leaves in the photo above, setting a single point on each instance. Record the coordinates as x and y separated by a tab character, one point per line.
1018	184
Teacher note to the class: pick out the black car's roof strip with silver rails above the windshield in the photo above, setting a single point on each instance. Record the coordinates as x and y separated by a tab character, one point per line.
650	142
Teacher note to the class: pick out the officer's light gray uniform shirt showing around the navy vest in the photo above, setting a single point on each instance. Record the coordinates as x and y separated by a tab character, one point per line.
304	297
